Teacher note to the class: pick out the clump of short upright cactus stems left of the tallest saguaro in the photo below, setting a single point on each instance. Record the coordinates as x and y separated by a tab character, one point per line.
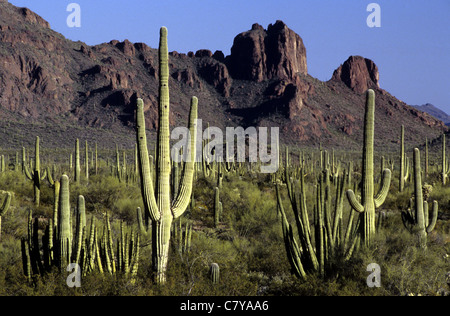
62	245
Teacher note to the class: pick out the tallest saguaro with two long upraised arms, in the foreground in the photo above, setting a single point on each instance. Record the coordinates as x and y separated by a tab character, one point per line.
157	203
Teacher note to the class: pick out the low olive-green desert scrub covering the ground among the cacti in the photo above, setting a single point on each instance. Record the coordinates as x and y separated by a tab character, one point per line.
247	245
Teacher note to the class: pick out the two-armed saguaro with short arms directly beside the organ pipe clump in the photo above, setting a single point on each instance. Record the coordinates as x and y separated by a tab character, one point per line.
369	202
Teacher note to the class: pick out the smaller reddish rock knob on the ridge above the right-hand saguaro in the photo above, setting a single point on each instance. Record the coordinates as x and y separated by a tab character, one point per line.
358	73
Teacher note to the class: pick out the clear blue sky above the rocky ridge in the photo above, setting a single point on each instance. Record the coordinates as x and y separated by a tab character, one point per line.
411	47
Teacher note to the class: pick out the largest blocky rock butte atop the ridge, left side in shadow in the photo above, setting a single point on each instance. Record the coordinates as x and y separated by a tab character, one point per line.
260	54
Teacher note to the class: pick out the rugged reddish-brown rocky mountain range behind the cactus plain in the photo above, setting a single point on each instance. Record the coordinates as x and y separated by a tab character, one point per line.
60	89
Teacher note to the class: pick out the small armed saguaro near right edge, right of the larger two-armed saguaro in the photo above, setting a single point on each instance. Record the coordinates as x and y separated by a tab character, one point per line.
417	221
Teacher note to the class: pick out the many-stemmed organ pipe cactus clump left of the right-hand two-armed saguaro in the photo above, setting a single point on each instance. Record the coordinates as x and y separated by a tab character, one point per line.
326	236
